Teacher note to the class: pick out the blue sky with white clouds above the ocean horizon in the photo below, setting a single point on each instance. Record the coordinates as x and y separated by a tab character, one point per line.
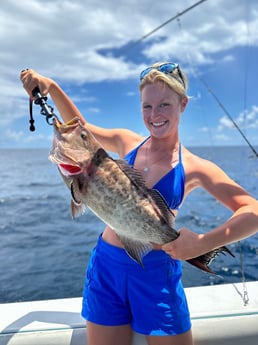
88	47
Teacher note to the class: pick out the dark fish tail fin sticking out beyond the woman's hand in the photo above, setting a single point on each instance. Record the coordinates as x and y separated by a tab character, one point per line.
203	261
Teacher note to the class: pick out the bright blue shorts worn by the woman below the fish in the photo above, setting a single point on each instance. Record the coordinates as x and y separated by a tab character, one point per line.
119	291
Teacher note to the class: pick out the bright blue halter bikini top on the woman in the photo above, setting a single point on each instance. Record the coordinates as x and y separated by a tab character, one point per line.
172	185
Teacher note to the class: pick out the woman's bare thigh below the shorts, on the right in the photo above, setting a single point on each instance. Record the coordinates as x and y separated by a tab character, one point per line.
181	339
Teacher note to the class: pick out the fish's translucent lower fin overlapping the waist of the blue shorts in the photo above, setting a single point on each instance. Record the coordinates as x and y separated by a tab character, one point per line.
136	249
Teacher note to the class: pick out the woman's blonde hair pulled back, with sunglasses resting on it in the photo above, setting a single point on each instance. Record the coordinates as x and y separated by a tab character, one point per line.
175	81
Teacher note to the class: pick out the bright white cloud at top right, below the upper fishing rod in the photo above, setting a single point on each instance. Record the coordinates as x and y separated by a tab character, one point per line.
219	26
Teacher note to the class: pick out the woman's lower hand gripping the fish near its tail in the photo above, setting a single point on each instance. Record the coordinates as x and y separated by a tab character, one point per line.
187	246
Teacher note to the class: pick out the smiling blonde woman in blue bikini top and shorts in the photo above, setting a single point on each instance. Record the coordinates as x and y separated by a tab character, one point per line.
120	295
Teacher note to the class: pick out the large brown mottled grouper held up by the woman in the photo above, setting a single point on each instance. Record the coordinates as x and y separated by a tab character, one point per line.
116	193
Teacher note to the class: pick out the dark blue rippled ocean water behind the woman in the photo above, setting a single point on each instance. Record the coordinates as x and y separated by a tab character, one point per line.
44	253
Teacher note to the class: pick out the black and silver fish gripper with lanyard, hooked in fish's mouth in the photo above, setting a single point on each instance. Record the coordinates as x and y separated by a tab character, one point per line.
46	109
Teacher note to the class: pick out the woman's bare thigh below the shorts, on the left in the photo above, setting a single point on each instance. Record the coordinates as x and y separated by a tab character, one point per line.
108	335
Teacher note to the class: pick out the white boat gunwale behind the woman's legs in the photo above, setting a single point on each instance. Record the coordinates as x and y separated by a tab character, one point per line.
219	316
